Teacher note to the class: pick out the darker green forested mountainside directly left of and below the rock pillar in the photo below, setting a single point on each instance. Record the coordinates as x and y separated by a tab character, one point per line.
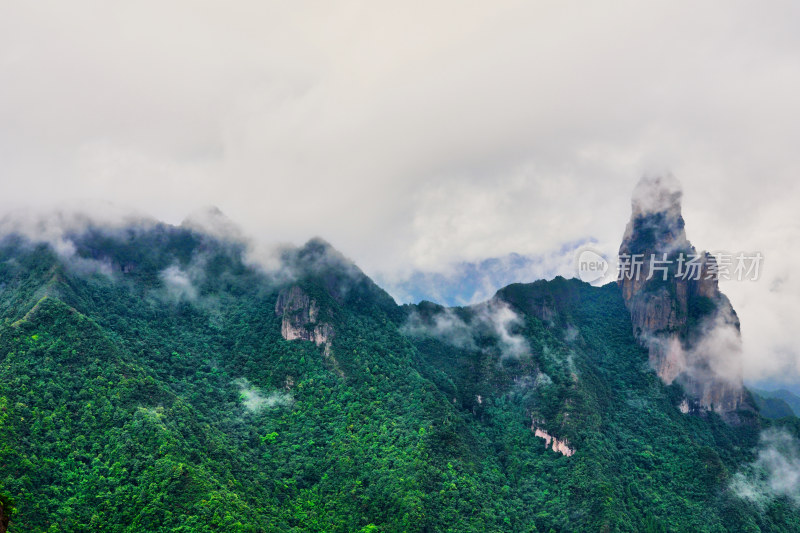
638	460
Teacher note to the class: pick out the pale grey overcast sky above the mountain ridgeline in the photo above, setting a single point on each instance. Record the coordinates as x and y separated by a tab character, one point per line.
412	135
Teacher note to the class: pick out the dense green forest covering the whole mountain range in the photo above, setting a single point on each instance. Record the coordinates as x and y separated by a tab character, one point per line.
145	386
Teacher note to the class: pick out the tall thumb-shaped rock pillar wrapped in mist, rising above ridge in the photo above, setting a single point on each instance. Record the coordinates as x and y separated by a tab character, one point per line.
677	310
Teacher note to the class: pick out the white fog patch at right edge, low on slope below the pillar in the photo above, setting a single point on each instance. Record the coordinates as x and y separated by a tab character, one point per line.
775	473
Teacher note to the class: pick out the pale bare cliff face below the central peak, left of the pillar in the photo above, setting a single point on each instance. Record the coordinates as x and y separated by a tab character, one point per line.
301	320
